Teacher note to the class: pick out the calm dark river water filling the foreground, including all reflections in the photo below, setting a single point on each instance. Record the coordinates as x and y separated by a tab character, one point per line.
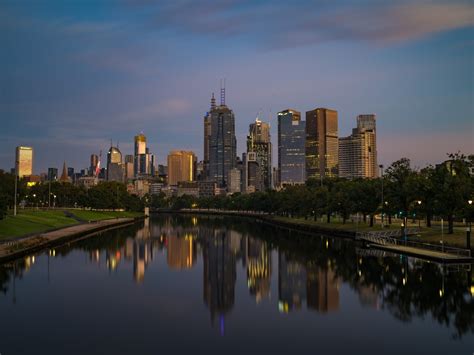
217	285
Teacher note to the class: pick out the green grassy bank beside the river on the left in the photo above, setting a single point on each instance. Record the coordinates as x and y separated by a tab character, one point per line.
37	221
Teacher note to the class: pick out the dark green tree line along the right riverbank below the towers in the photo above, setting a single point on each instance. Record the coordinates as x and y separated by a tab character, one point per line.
435	191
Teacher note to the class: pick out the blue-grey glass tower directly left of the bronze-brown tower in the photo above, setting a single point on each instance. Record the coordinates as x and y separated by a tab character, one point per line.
291	147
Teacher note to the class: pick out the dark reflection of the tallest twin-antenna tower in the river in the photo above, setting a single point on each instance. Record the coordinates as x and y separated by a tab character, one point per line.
219	273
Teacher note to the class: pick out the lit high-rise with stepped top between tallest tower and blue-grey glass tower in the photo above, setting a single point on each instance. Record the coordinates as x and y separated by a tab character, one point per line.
259	142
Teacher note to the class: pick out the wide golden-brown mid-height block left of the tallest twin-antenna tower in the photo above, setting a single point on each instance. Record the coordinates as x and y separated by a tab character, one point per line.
181	166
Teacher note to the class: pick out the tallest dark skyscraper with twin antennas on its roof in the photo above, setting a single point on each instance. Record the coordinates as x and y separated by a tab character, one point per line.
222	143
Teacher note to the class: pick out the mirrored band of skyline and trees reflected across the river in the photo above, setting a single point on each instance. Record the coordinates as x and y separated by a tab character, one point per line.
310	272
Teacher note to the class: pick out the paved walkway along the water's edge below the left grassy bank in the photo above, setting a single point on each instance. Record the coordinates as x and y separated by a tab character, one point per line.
20	247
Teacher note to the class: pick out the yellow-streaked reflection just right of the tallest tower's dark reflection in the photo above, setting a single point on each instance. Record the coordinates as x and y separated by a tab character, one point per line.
259	269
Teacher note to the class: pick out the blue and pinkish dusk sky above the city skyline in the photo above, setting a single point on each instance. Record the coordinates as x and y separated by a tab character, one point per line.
76	74
